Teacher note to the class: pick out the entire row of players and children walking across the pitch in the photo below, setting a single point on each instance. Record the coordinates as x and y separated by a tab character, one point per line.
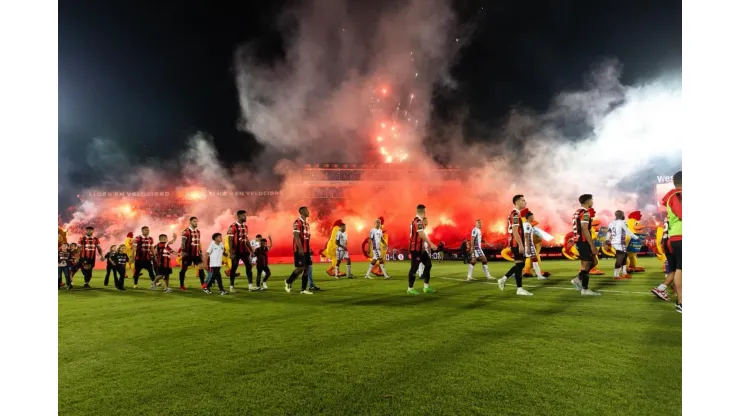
226	254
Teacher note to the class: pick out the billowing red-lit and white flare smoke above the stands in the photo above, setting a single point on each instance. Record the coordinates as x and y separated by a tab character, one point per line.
357	81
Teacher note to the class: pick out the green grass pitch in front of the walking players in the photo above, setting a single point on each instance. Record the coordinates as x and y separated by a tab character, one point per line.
366	347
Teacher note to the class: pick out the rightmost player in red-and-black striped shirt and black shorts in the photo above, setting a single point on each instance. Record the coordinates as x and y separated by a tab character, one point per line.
586	248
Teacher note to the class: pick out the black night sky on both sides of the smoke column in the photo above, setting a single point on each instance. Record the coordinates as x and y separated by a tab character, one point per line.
148	75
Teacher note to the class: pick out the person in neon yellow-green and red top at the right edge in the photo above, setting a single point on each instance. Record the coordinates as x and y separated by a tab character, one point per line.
673	203
